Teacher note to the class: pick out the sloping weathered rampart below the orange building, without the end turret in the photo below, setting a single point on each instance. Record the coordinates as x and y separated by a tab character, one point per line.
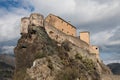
60	37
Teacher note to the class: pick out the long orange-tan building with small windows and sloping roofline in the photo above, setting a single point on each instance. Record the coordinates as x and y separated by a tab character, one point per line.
61	25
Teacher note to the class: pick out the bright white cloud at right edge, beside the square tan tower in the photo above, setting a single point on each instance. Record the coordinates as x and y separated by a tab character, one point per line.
107	37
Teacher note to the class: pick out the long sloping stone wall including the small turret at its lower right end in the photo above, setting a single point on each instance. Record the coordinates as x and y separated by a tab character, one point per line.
60	37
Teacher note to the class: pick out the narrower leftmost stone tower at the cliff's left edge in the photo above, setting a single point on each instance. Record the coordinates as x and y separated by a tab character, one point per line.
24	25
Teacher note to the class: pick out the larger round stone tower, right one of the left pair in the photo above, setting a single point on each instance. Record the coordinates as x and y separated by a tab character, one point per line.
36	19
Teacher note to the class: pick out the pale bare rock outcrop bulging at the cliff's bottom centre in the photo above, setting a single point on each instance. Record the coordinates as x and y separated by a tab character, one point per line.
45	68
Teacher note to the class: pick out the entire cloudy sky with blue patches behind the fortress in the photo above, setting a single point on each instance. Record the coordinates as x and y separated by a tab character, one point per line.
100	17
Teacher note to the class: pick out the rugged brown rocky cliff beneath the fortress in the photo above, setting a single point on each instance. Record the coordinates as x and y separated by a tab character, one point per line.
40	57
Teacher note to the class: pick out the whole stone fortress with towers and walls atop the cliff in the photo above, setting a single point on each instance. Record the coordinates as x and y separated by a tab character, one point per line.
59	30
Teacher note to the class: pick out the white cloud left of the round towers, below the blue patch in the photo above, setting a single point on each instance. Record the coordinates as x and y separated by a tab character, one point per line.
9	26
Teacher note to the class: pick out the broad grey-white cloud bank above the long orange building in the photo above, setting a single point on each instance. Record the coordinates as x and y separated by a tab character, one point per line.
92	15
